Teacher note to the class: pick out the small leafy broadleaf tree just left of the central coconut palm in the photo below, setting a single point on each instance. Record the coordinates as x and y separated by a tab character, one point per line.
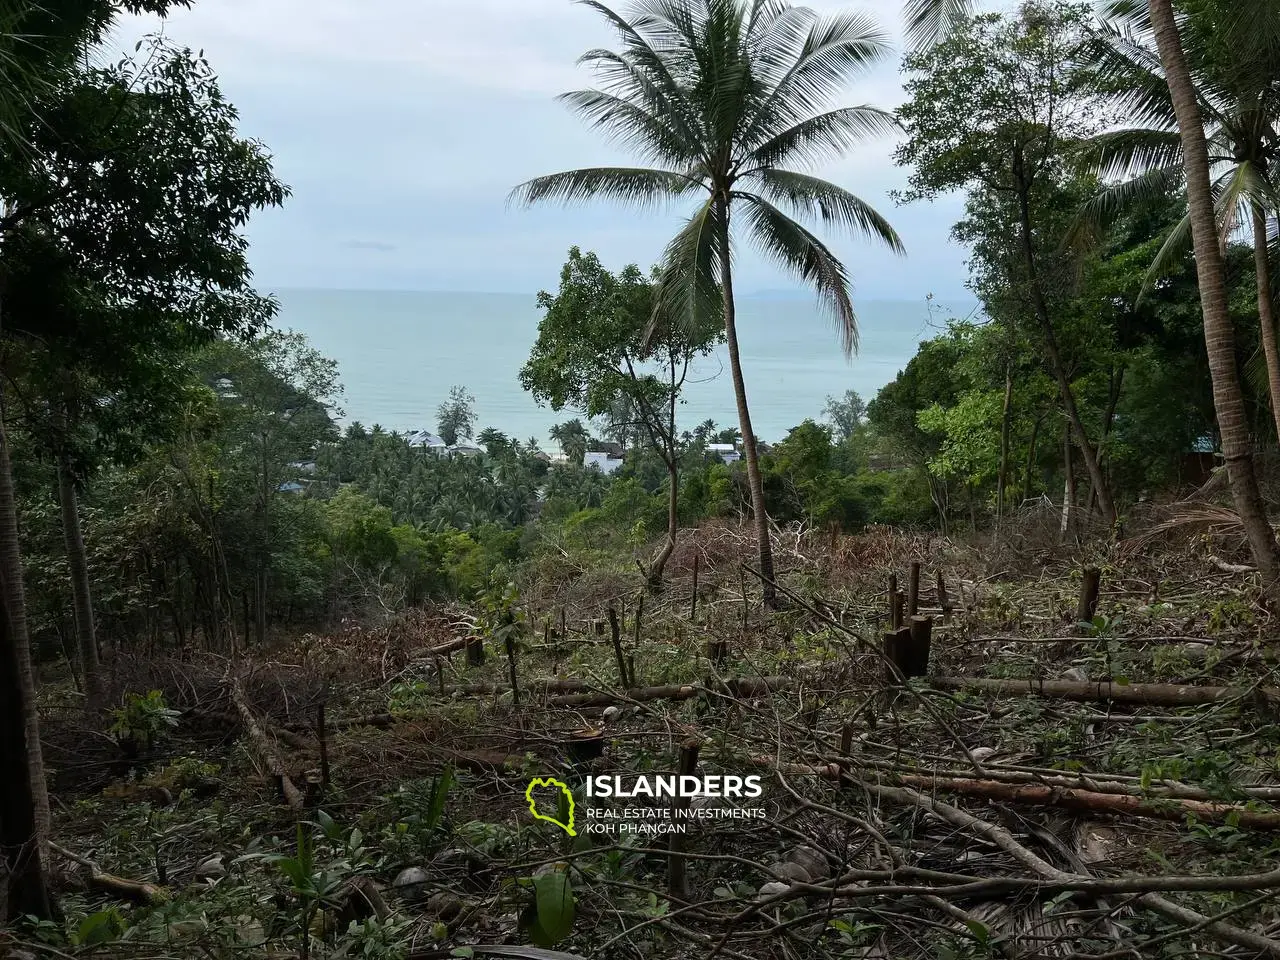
595	353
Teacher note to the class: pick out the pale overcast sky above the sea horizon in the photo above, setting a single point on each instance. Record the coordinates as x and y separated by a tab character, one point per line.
403	125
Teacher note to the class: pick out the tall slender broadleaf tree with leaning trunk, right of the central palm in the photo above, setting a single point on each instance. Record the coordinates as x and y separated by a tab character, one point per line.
996	109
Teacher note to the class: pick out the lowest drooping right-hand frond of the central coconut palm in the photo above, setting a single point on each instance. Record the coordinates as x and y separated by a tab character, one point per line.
796	249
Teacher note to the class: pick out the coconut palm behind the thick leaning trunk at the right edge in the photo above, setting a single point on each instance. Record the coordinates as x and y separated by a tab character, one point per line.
1240	104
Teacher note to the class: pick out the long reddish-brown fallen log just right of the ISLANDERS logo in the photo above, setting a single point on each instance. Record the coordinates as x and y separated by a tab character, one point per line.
1041	796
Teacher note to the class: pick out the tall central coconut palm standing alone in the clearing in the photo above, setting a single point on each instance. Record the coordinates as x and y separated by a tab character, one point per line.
724	98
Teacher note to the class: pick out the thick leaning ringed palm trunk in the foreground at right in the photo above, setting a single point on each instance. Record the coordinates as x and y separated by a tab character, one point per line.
1212	275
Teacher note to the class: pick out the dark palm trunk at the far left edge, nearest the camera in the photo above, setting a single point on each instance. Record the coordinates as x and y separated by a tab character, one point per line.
25	820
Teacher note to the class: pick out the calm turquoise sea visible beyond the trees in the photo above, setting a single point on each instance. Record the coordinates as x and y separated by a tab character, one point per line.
399	354
